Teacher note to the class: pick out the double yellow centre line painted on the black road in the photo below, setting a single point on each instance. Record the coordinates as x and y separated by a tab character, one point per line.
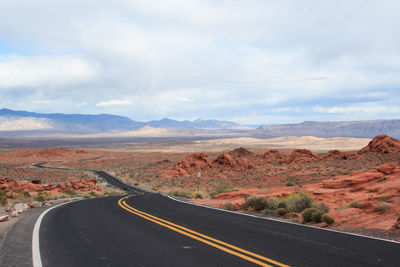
231	249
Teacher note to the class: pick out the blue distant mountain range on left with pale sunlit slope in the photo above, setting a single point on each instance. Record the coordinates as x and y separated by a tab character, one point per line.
11	120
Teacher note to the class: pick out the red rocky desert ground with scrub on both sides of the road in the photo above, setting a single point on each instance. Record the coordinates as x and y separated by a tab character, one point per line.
360	187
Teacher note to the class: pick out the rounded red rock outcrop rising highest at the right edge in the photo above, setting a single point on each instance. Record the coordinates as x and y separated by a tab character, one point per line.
382	144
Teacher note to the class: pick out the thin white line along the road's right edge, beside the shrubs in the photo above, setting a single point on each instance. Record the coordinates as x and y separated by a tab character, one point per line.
282	221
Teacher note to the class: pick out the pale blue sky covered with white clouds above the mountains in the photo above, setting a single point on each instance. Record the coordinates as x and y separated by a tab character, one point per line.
248	61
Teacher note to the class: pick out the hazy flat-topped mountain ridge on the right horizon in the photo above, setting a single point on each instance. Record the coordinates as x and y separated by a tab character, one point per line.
364	129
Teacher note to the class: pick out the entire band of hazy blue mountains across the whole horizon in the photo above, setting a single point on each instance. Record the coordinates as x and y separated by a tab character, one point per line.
20	122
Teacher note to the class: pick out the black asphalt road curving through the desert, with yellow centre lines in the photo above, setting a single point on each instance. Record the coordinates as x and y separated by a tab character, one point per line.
148	229
